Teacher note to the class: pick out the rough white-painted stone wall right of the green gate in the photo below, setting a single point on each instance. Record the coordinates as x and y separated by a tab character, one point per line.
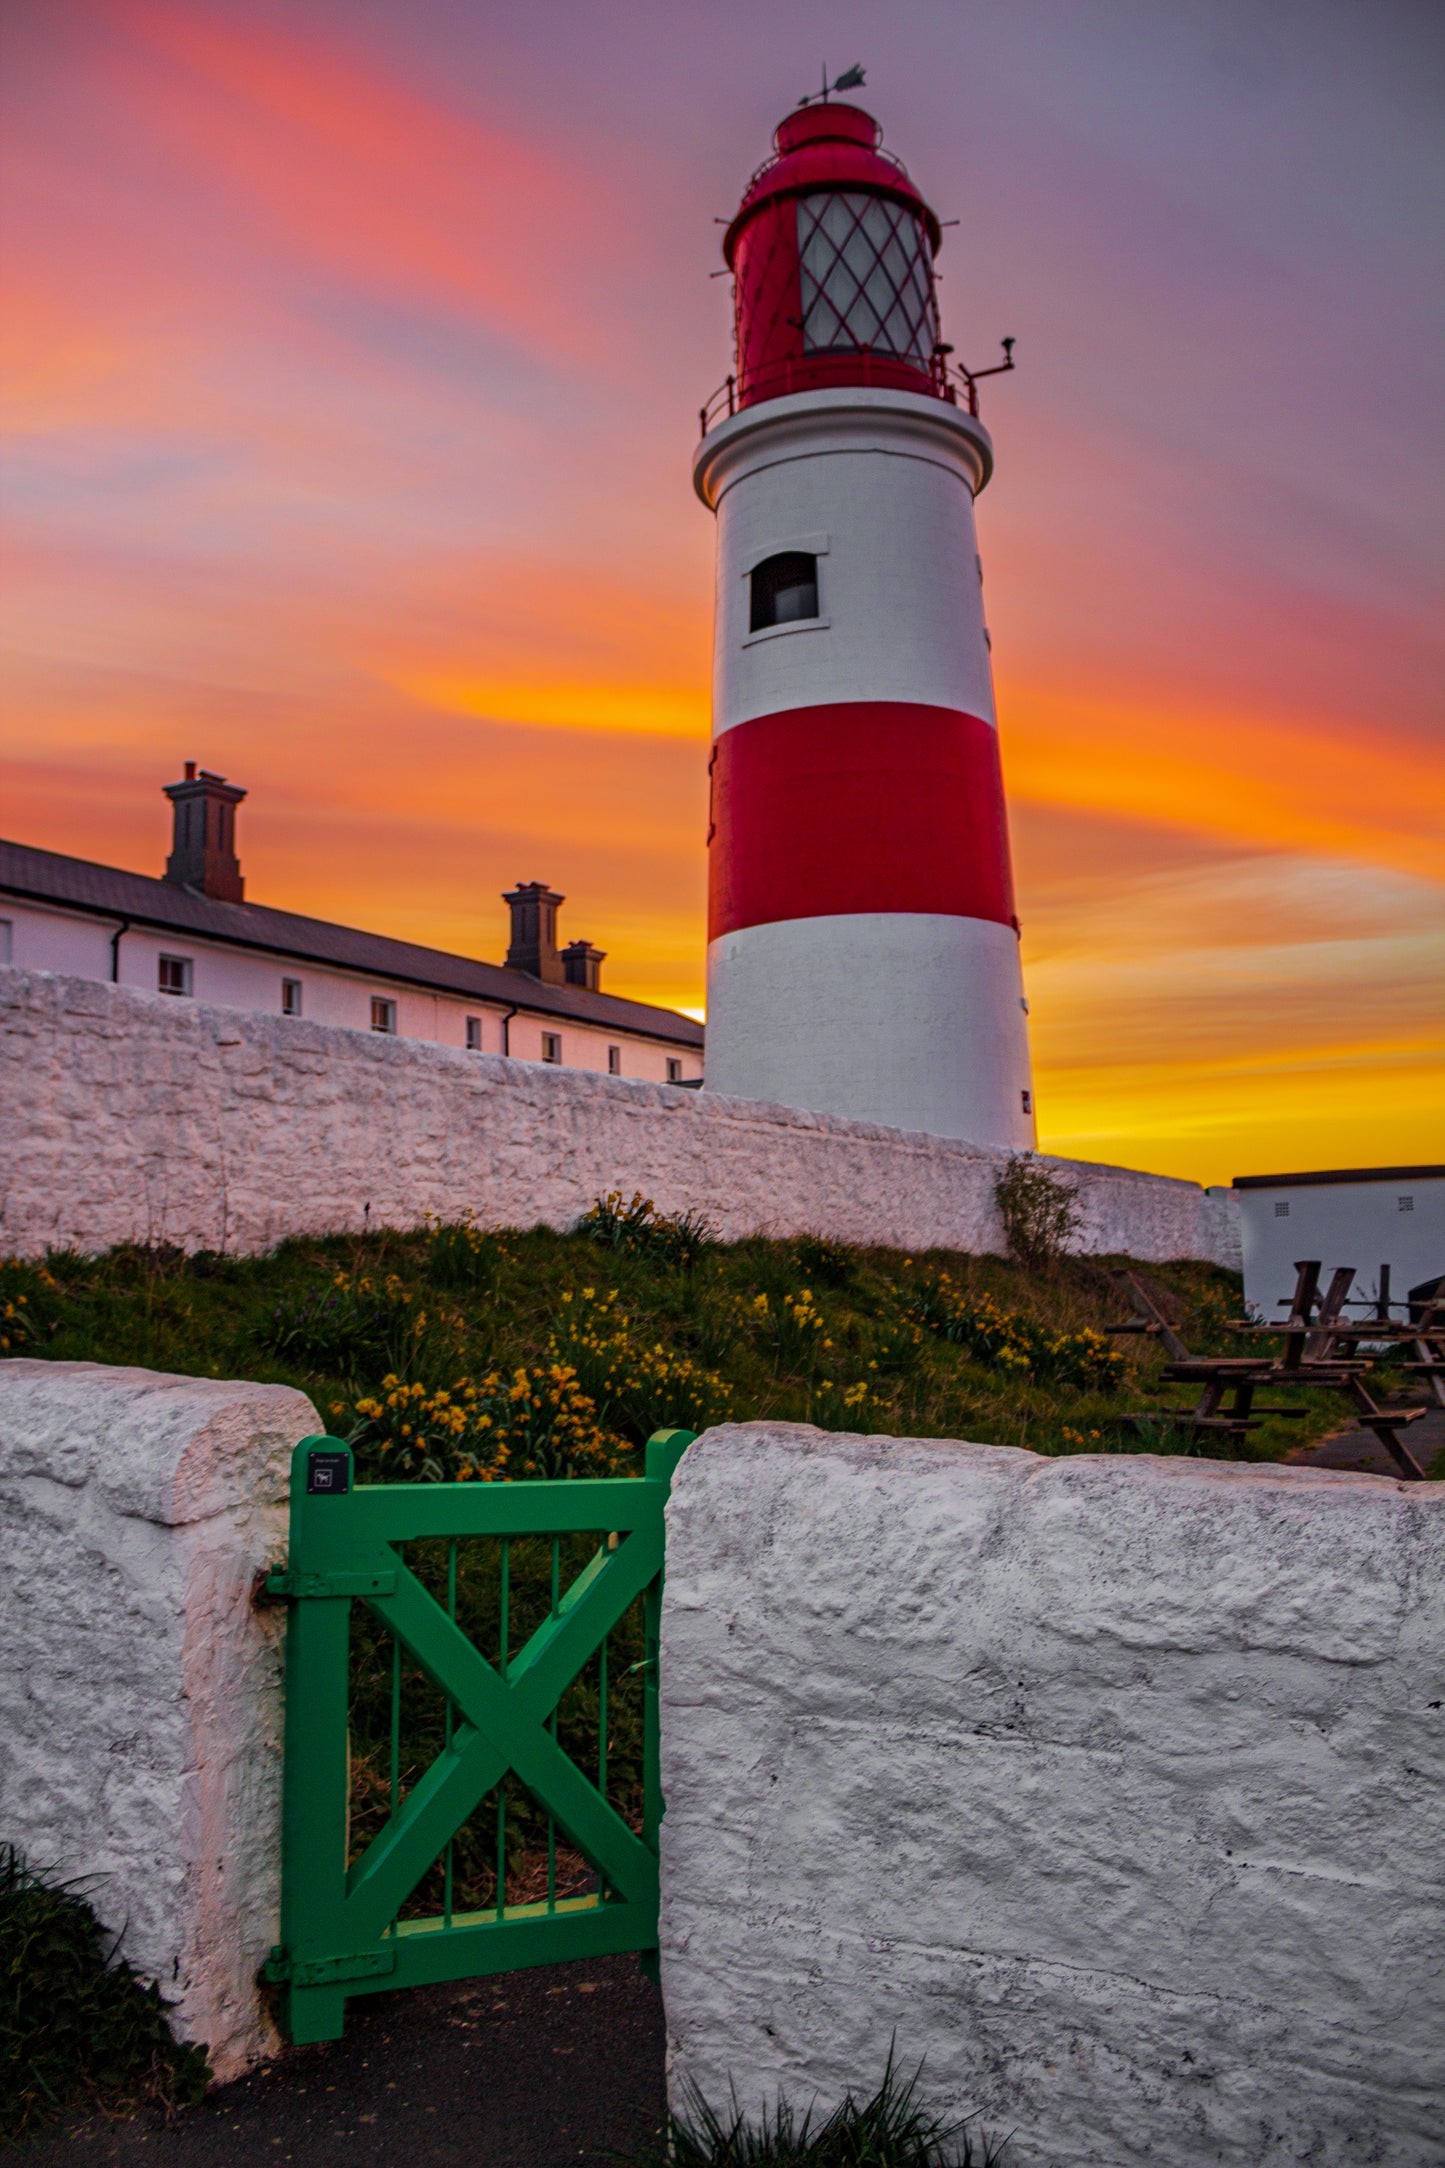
1108	1788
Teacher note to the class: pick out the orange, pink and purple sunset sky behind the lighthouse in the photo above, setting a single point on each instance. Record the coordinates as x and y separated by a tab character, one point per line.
352	374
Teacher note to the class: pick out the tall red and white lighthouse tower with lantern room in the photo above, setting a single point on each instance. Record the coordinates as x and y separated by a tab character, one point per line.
863	942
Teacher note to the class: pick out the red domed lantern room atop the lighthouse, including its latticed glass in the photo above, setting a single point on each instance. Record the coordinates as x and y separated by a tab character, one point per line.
833	259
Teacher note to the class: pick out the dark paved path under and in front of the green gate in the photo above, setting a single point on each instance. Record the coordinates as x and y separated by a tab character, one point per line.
541	2069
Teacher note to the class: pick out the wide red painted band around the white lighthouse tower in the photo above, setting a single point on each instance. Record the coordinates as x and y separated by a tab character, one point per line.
868	805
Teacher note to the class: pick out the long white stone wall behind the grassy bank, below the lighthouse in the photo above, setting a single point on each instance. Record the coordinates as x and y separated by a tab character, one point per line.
138	1118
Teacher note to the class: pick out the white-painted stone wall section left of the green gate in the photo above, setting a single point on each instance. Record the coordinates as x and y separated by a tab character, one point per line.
140	1688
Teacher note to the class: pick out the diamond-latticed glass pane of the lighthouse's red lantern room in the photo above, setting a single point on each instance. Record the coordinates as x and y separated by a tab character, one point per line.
865	279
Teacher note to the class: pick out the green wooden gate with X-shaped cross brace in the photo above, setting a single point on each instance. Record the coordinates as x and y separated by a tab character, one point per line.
380	1863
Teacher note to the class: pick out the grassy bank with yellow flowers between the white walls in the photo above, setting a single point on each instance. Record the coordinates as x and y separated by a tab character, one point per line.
467	1354
